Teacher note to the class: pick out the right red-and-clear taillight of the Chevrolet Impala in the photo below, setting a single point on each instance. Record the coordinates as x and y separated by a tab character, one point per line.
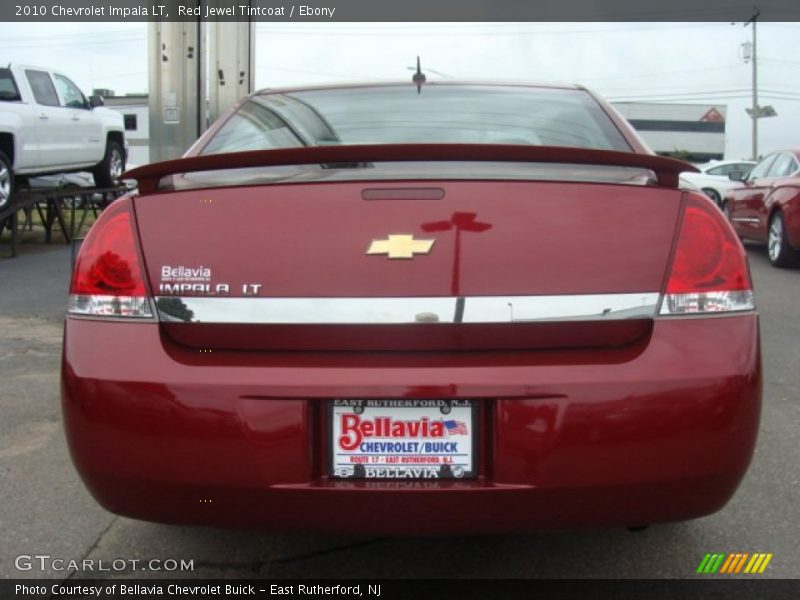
709	272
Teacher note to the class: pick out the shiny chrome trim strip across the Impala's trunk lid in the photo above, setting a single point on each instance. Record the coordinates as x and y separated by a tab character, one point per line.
380	311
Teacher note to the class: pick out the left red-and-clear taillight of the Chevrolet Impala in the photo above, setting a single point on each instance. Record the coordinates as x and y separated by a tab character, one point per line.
108	279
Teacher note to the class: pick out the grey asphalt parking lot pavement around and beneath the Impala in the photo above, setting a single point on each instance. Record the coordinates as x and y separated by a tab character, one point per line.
47	511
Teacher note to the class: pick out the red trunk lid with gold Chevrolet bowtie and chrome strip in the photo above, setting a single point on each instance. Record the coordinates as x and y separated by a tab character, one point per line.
494	264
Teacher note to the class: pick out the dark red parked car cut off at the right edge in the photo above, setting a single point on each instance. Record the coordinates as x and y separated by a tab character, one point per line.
766	208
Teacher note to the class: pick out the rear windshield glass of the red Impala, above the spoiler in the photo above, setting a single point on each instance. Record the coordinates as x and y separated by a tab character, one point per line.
437	114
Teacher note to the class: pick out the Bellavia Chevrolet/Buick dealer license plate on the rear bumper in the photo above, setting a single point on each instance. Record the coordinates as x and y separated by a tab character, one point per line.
403	439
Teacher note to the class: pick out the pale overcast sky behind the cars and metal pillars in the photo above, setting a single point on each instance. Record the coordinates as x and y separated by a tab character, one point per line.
669	62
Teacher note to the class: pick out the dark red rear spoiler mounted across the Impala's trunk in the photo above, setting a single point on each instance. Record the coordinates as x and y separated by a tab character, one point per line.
665	169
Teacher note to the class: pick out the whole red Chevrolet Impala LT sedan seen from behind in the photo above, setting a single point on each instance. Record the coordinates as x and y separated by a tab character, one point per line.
413	309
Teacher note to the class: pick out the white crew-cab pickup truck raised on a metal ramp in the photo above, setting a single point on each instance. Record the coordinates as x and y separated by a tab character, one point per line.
48	126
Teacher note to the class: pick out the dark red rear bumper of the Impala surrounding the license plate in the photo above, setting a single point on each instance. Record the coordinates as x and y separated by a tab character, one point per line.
657	432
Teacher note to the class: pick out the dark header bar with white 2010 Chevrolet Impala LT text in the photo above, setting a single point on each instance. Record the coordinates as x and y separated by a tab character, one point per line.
396	10
